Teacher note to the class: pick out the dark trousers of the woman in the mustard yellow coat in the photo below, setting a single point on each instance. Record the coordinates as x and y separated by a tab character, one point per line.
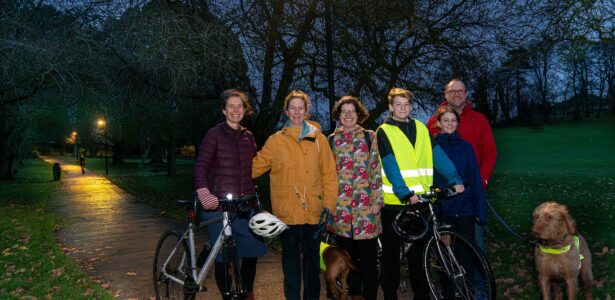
298	239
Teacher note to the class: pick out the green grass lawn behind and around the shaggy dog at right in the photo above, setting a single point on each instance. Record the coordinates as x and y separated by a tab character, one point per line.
570	163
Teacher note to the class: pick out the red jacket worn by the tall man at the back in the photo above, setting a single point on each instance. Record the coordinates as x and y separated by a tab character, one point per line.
475	129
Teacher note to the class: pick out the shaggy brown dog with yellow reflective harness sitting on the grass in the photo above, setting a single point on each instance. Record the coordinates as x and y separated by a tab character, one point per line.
562	254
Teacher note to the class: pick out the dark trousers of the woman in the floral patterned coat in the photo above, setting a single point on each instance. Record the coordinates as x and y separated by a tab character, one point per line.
364	255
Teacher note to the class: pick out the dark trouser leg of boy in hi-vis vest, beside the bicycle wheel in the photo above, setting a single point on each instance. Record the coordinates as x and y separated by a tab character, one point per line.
390	252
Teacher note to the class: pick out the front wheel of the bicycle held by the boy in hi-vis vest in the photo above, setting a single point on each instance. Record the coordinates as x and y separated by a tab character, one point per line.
457	269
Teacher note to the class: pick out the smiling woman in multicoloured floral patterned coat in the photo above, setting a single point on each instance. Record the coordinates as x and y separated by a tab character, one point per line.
356	220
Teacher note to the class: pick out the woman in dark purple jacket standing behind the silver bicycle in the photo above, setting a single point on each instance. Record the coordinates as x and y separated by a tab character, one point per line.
224	166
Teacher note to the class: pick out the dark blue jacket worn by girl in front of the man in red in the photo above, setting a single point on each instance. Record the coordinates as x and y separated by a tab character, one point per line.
472	201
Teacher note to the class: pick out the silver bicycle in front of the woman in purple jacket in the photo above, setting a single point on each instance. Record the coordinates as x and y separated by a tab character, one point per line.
175	268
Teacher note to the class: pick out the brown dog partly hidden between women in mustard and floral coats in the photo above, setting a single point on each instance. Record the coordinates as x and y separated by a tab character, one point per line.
338	264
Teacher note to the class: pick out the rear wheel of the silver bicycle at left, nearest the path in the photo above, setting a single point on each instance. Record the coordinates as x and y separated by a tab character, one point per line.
169	283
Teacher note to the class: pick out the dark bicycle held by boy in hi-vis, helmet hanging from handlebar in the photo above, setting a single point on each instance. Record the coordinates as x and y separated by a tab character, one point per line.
454	266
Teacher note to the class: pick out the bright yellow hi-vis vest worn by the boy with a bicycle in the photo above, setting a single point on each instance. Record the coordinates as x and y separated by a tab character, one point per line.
415	163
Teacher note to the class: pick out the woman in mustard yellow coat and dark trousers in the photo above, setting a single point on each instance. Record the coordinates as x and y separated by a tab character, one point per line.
303	181
